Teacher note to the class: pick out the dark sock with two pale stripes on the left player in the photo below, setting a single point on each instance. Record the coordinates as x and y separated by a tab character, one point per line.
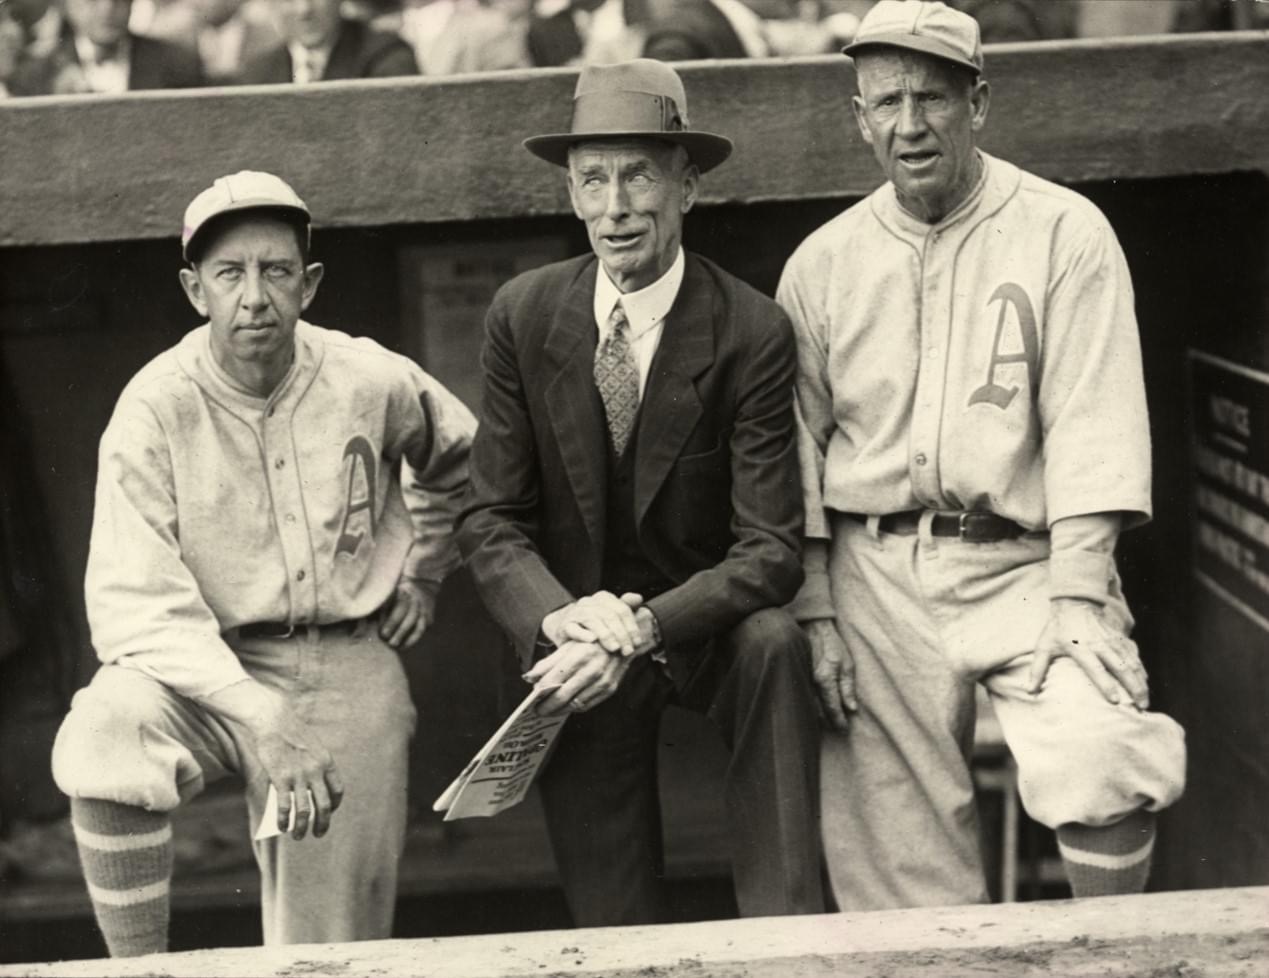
128	856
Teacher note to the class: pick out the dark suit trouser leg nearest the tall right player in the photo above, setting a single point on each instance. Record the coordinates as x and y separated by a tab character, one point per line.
757	689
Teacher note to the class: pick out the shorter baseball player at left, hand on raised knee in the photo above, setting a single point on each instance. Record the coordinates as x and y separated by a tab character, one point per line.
273	519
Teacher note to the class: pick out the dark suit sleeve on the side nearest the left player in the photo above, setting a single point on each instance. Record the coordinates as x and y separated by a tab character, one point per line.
499	525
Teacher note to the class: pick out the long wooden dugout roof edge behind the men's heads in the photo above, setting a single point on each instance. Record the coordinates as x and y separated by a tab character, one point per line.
79	169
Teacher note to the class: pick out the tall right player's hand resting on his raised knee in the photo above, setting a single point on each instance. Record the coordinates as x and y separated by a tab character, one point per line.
1075	629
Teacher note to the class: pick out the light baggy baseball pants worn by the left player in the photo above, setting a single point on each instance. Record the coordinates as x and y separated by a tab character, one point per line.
129	739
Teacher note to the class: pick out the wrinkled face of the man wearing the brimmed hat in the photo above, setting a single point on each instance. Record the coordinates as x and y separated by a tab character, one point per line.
633	196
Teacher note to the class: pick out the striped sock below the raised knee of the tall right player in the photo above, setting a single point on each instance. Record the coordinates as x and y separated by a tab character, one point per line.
1105	861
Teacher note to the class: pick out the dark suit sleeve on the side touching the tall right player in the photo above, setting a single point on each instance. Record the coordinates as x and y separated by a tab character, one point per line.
762	569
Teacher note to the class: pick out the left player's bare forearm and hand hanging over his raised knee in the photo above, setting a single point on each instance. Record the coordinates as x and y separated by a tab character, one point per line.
295	760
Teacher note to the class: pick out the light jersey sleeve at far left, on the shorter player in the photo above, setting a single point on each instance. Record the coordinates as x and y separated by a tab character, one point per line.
145	608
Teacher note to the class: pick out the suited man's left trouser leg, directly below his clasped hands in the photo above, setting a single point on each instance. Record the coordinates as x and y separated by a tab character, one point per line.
603	812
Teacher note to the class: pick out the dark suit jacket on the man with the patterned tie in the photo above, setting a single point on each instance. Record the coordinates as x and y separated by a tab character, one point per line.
718	489
